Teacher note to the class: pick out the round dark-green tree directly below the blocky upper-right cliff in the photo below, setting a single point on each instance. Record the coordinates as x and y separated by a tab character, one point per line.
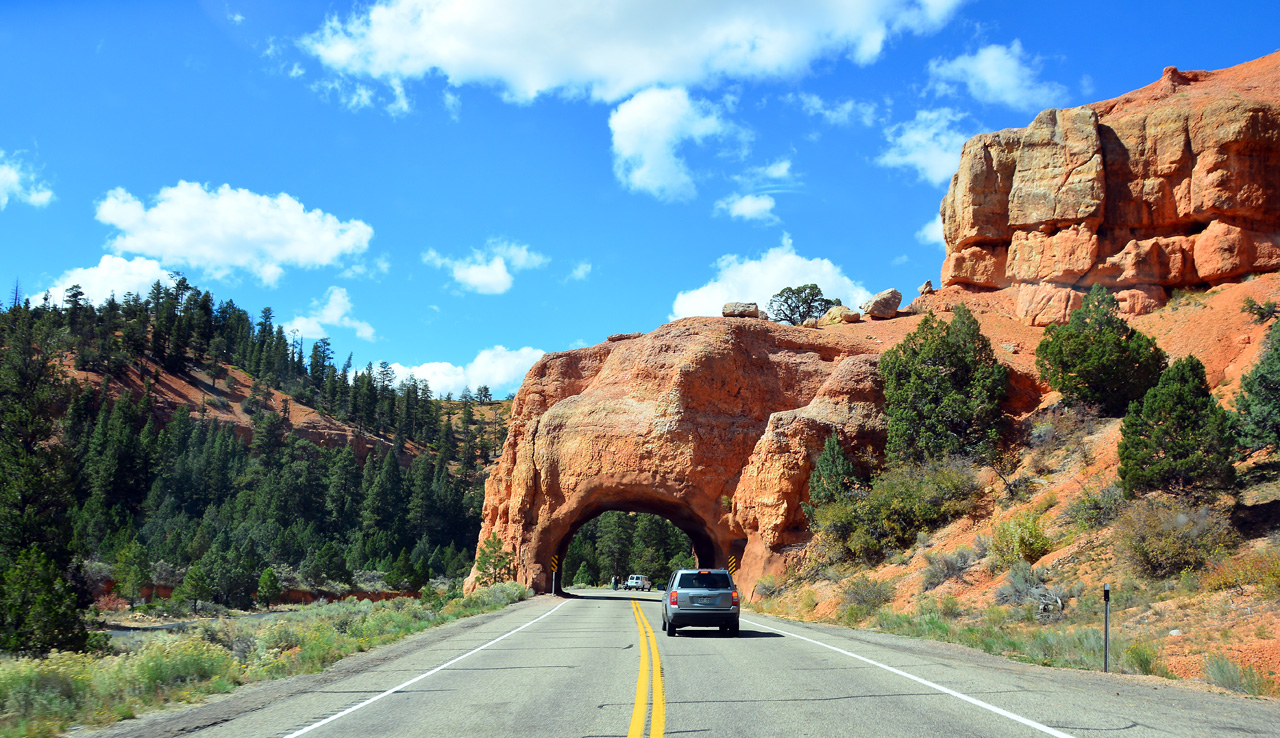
1096	359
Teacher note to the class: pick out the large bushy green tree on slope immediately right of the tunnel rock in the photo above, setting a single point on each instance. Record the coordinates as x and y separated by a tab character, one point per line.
943	391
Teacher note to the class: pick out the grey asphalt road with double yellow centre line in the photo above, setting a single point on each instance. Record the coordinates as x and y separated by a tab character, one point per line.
600	666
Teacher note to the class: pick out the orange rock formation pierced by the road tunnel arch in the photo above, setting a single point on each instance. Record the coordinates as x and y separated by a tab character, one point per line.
711	423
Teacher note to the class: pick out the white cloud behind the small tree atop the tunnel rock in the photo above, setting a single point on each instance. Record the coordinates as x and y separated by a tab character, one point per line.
739	279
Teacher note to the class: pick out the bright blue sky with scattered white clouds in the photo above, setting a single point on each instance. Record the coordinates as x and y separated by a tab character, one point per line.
459	186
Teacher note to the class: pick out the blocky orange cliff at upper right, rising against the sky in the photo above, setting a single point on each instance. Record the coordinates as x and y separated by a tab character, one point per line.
1171	186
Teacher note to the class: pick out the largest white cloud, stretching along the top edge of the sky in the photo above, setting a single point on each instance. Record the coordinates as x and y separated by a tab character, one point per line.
611	51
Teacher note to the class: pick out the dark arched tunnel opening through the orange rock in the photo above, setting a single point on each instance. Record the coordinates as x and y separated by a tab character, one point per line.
659	539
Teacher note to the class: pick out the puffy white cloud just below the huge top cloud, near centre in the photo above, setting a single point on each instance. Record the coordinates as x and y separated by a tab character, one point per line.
647	132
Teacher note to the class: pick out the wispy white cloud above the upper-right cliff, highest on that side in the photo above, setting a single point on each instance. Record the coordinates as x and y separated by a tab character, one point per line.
1002	75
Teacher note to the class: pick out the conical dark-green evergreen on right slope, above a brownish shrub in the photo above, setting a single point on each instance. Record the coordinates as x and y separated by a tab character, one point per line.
1178	439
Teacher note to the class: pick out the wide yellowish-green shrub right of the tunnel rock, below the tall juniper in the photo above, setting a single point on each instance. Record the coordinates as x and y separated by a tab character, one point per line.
900	503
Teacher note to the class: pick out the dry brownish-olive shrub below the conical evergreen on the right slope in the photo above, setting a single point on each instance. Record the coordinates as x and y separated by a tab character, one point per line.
1163	538
